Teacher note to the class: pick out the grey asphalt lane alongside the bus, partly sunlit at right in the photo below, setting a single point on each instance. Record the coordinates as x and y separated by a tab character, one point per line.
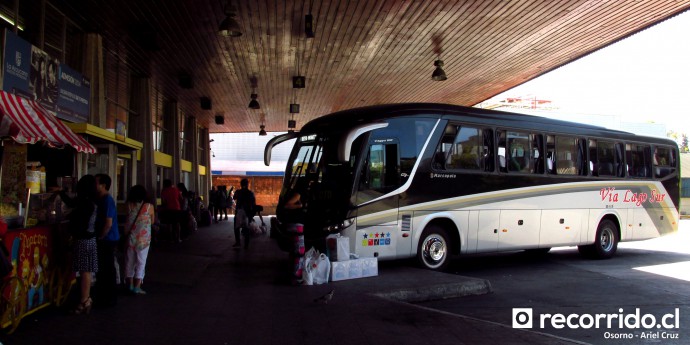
650	276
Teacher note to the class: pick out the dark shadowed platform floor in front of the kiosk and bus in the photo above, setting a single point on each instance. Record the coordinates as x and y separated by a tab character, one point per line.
202	291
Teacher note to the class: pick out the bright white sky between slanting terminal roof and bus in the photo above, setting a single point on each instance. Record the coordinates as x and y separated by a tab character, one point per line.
644	78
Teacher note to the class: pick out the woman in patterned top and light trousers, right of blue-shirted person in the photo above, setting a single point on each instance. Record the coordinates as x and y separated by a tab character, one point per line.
138	232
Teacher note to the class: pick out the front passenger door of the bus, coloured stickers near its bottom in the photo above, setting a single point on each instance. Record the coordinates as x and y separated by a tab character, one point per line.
377	231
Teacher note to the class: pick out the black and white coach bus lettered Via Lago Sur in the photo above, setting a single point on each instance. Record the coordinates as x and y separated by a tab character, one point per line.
435	180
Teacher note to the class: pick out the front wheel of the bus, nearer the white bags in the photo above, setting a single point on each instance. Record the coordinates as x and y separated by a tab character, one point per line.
433	250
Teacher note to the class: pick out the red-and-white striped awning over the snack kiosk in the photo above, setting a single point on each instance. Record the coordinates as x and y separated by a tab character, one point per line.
27	122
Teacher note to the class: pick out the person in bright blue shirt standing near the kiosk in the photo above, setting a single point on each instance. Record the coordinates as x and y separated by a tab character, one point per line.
107	235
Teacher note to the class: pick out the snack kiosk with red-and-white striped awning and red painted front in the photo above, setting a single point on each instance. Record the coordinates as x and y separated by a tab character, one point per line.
38	153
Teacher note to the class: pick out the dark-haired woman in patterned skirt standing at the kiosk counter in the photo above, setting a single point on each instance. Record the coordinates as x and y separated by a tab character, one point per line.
82	222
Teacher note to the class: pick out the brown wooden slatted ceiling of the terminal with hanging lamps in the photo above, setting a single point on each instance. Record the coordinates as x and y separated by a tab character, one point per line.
364	52
